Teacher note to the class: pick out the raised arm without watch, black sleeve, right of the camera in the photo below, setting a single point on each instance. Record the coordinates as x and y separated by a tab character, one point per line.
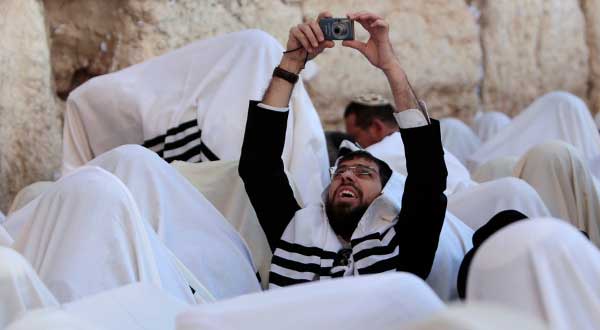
423	202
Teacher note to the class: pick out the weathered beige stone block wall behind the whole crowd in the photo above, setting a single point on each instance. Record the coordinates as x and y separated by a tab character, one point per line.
461	55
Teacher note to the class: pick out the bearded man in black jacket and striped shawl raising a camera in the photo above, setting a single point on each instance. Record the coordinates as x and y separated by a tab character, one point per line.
365	223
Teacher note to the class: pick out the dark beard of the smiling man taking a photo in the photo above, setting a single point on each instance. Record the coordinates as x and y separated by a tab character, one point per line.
344	218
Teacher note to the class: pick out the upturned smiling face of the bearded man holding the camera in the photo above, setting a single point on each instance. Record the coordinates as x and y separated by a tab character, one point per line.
355	183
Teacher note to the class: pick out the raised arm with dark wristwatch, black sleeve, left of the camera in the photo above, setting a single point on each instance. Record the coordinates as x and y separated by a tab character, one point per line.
261	167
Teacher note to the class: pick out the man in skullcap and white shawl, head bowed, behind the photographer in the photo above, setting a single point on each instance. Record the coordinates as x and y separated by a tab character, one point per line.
370	122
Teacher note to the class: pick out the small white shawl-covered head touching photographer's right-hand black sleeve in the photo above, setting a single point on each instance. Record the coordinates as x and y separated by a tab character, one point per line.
458	138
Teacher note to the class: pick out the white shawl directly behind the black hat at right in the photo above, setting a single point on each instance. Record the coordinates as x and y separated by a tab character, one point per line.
477	205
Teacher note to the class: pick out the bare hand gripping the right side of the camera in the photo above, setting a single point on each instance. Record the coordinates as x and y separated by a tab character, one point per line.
378	49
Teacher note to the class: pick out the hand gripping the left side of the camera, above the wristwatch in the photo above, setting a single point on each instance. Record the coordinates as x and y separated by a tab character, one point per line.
310	39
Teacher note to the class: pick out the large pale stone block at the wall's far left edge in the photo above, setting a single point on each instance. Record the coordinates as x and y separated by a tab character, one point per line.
30	125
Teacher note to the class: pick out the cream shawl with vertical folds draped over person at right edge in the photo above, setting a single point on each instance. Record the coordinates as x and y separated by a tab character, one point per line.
559	174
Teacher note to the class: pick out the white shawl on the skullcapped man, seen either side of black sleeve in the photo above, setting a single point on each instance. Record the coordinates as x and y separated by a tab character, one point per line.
391	151
